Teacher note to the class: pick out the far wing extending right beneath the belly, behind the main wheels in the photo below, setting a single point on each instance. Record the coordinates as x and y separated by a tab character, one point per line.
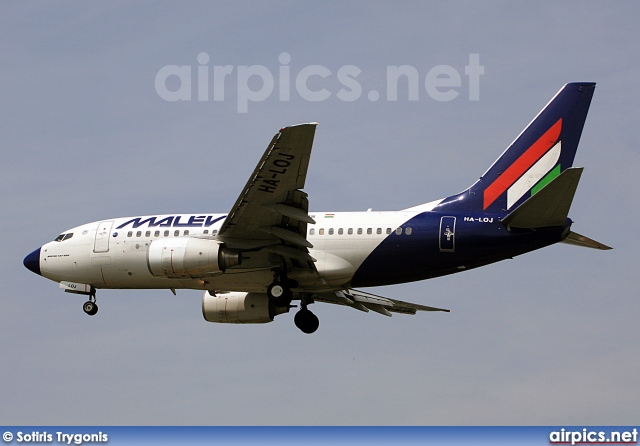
366	301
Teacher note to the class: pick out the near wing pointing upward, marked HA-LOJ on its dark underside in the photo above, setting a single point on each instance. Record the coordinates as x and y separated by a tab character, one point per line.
272	210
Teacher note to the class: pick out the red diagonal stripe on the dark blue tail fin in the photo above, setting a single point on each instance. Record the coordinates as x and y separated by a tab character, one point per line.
522	164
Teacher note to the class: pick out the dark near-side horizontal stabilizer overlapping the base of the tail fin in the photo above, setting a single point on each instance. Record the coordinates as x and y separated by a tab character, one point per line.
550	206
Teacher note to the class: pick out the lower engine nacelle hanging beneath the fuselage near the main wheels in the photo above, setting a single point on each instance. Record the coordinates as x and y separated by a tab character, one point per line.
239	308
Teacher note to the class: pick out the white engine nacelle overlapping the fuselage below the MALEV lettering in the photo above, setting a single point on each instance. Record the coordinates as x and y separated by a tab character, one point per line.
178	258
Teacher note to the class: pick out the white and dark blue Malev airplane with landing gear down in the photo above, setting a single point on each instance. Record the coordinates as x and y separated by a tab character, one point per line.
269	250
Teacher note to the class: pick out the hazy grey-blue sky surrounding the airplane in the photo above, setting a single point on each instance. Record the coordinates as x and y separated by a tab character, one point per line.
546	338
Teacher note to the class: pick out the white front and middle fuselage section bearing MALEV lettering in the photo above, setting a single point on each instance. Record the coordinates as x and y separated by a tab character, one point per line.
113	253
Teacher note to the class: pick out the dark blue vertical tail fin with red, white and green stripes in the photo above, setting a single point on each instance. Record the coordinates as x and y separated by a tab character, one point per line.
539	155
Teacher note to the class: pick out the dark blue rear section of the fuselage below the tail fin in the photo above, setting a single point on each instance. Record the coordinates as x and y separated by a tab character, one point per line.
479	240
